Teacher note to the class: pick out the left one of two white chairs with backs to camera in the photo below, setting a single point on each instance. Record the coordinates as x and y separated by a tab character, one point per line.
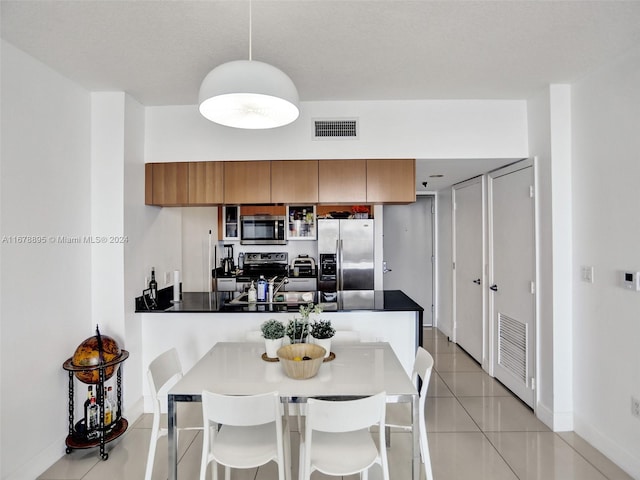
244	432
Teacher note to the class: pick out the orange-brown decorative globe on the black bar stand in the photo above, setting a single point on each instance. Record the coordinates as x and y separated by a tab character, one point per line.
88	355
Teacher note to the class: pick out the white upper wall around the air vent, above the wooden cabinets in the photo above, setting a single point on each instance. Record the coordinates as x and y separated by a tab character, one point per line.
415	129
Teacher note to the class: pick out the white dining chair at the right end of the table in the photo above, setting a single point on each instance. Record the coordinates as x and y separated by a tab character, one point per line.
399	415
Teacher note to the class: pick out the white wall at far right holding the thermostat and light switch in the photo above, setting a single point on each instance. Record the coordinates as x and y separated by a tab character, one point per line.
606	229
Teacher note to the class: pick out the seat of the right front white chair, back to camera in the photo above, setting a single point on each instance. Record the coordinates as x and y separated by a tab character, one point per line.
328	454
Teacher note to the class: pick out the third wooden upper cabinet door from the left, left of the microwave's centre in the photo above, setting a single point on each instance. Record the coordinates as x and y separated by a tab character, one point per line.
247	182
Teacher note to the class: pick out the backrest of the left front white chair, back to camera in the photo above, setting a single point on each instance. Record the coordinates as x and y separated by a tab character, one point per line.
241	411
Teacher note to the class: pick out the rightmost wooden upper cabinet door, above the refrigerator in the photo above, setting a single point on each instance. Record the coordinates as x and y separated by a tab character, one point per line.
391	181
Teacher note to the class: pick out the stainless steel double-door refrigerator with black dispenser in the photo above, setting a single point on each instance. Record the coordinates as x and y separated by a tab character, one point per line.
345	252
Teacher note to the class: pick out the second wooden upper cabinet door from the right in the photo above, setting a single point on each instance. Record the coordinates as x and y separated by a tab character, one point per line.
342	181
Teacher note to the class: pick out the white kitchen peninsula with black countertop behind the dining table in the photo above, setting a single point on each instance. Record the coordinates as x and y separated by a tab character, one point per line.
200	320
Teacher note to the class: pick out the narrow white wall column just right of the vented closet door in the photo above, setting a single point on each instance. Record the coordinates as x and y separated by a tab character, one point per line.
550	143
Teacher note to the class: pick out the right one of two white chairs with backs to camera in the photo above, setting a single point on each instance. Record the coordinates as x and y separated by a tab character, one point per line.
337	440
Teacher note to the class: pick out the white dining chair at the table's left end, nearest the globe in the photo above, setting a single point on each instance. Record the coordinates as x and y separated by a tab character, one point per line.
163	372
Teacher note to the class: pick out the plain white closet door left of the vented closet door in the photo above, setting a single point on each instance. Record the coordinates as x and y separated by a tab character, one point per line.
468	260
